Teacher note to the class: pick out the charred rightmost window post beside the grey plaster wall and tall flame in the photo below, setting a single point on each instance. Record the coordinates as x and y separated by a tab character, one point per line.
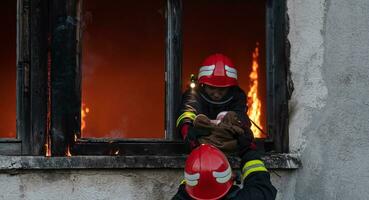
279	84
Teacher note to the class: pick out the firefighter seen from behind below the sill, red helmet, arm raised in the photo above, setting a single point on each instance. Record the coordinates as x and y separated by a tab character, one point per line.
208	175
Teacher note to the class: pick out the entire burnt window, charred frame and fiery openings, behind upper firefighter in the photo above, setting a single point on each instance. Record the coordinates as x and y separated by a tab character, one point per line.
82	67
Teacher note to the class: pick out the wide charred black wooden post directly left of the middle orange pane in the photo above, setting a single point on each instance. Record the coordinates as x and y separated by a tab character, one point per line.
65	79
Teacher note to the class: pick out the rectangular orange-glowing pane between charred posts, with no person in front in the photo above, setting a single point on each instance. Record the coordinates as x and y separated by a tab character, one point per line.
123	69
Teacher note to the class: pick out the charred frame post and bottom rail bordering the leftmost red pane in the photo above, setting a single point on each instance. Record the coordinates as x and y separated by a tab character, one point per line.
31	80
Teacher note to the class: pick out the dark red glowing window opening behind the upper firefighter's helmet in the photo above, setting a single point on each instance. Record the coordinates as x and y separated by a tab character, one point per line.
231	27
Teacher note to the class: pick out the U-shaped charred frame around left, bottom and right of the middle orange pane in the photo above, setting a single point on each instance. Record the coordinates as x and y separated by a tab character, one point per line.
65	114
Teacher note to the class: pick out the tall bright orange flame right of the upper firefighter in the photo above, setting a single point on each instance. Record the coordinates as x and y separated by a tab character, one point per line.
254	103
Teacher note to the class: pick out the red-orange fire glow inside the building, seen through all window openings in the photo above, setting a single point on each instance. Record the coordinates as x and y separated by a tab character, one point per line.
122	63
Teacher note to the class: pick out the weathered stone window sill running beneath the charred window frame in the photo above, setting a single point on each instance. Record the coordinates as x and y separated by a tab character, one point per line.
272	161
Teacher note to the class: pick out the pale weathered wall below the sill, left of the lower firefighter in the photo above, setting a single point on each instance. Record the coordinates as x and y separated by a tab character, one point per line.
90	184
